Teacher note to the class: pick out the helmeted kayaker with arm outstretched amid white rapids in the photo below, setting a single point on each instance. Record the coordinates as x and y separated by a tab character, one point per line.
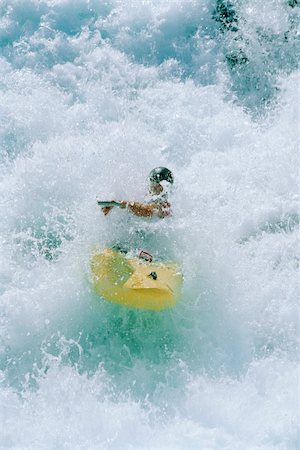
158	205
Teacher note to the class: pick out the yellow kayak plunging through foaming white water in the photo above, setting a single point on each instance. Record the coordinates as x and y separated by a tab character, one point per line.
135	282
